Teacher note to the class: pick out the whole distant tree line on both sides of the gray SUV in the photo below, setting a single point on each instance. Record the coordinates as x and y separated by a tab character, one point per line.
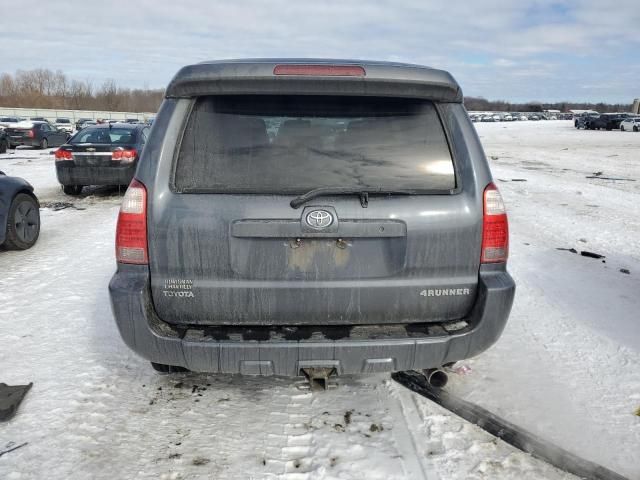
43	88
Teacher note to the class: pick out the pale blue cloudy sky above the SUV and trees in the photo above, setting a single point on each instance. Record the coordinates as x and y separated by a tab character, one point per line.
516	50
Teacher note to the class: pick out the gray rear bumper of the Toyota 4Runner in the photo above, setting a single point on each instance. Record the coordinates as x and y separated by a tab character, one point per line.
196	350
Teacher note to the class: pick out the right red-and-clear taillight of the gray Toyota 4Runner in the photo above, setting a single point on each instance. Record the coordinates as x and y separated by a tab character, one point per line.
495	227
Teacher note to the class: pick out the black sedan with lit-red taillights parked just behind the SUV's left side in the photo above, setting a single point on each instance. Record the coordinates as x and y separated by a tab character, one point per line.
100	155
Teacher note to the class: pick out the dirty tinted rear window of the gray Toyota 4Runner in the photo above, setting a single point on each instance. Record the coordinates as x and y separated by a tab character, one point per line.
293	144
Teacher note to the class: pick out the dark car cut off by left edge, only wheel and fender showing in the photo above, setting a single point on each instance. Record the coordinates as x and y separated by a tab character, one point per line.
19	213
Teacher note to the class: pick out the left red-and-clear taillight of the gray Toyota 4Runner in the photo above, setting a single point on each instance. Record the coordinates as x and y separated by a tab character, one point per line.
131	232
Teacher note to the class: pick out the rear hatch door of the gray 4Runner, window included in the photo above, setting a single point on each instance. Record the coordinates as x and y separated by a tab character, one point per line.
227	247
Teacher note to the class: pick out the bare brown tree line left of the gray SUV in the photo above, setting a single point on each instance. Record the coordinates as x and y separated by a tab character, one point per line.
43	88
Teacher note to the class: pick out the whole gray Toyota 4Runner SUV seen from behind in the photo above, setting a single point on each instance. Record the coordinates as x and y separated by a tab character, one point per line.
288	216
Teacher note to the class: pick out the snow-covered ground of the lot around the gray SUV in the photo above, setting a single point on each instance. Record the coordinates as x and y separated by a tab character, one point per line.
567	366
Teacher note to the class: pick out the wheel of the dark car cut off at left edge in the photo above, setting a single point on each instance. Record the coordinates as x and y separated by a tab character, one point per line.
23	223
